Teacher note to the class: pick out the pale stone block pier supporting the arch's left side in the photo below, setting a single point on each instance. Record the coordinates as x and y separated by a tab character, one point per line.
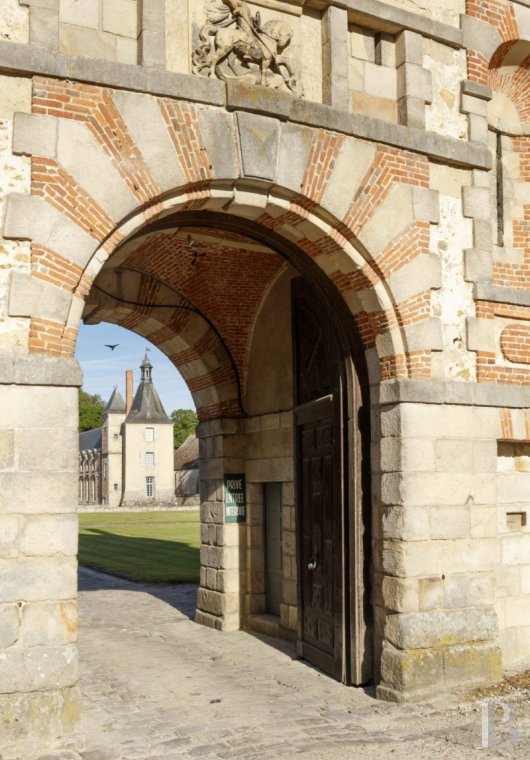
38	547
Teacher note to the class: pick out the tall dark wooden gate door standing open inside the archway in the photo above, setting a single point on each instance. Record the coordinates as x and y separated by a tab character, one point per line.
319	456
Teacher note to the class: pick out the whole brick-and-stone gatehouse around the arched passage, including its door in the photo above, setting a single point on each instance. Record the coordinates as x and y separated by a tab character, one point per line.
293	202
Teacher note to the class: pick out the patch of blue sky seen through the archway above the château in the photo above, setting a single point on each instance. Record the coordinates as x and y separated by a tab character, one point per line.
103	368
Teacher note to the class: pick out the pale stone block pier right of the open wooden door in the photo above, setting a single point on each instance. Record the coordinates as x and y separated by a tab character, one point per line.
436	543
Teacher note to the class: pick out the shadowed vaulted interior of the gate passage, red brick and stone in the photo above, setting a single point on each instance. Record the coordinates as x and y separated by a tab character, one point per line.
217	300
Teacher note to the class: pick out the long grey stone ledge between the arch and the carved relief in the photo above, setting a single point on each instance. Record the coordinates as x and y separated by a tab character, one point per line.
30	60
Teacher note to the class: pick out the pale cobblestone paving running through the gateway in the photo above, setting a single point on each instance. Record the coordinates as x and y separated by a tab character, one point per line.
156	686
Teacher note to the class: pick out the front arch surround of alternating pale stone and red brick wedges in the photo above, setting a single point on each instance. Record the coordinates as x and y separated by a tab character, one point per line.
67	191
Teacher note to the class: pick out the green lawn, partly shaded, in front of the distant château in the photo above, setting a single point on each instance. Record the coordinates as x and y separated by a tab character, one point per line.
156	547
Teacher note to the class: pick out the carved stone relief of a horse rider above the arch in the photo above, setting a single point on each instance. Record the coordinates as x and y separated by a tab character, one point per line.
235	45
